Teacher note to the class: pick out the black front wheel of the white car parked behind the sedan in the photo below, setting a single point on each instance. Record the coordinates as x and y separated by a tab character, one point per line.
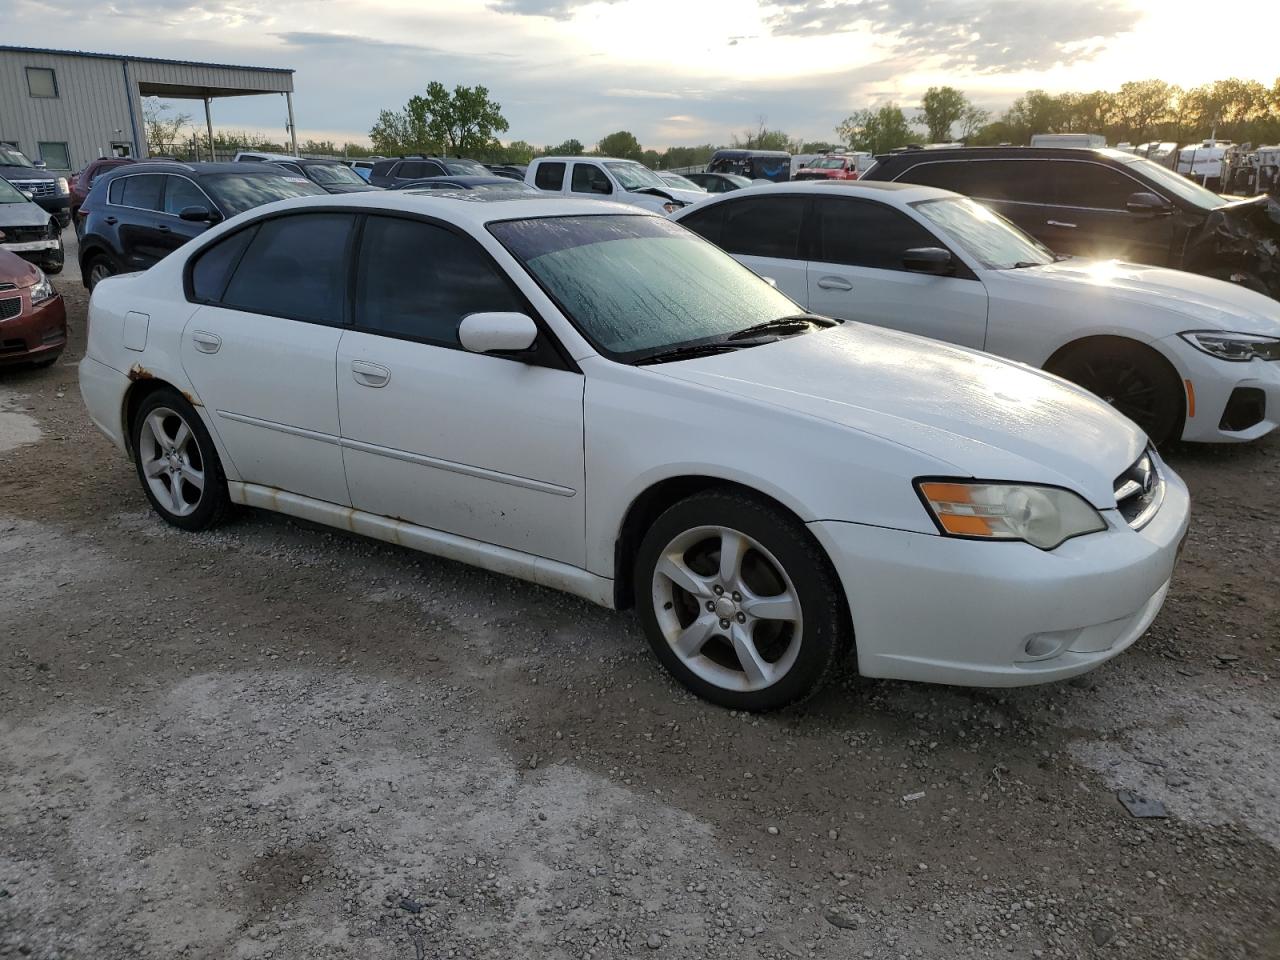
1133	380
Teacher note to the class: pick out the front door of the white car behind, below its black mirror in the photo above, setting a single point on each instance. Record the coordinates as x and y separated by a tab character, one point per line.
858	275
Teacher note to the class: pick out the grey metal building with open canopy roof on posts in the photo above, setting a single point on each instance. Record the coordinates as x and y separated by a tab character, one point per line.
68	108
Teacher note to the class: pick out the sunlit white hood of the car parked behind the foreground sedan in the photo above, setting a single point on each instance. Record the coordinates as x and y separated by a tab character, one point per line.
1208	304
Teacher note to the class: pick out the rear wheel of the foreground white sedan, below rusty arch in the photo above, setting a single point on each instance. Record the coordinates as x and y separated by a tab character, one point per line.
177	463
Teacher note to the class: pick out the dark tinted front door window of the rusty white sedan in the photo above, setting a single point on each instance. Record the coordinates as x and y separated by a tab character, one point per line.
417	280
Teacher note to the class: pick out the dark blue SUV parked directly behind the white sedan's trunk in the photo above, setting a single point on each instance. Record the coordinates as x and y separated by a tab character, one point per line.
138	214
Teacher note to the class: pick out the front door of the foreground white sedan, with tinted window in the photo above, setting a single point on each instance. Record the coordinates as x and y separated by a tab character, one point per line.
484	447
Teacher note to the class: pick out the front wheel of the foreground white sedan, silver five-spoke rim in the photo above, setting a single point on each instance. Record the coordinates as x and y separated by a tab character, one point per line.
700	618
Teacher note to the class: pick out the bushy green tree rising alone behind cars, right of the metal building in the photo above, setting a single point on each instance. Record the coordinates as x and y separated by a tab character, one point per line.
463	122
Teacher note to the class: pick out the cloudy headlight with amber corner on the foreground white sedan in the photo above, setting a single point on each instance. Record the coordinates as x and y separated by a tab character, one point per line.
1043	516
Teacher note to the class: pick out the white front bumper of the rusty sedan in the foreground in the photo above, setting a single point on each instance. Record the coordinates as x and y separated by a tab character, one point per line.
948	611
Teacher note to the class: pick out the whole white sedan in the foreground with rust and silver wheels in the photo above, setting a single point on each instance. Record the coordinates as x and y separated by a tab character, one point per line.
593	399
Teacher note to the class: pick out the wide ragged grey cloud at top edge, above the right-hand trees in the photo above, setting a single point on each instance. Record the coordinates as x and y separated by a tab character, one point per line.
981	35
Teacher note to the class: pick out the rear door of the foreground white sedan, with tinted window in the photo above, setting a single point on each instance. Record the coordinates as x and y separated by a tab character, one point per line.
262	351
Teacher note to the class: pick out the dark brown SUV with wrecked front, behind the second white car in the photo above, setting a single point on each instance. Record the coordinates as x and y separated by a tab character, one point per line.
1108	204
